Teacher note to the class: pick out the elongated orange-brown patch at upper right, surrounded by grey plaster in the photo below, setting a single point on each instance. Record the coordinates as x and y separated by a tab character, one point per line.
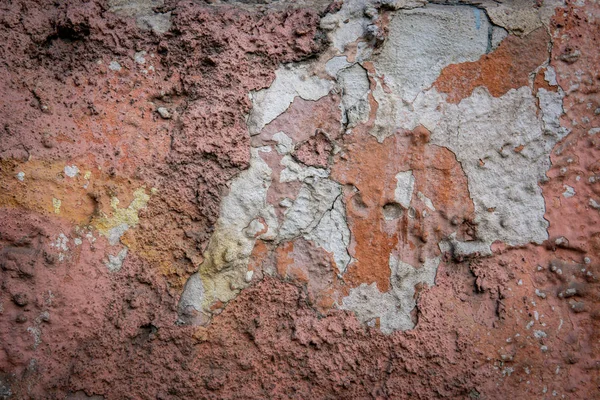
506	68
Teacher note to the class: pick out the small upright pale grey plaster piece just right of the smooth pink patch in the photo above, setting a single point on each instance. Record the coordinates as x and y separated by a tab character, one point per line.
354	82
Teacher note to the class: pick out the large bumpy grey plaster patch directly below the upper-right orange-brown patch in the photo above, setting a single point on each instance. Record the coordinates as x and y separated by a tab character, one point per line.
483	132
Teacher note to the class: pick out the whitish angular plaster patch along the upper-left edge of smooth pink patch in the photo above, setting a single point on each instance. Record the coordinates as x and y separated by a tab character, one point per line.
290	81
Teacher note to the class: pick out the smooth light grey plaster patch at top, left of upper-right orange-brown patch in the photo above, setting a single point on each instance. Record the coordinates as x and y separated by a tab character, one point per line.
423	41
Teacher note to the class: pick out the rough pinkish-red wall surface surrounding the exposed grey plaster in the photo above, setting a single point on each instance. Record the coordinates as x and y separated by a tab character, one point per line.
72	328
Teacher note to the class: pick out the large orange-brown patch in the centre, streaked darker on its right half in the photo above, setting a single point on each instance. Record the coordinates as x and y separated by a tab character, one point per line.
368	168
